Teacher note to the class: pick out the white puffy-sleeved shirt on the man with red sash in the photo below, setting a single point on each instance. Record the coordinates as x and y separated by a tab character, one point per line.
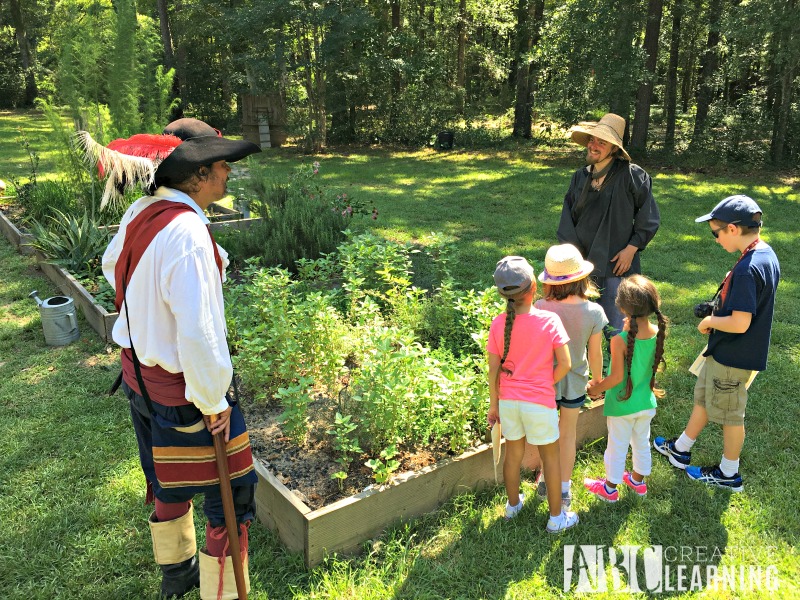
177	314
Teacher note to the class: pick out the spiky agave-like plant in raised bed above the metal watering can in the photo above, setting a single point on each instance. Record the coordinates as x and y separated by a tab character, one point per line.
75	243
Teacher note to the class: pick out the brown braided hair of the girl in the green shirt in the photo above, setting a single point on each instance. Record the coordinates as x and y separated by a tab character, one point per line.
638	297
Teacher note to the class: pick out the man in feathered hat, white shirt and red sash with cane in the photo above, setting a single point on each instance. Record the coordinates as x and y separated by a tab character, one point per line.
176	370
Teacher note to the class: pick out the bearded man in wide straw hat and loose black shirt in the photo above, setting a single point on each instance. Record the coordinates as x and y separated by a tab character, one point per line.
609	211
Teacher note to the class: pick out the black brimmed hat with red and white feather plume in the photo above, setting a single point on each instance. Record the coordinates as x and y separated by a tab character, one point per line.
160	159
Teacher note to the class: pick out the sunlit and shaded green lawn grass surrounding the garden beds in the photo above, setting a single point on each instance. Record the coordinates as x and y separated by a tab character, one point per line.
71	490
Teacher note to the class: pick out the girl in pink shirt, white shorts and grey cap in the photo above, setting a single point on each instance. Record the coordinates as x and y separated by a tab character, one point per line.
523	343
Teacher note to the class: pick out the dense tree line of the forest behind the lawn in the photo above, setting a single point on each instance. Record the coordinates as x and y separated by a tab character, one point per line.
713	79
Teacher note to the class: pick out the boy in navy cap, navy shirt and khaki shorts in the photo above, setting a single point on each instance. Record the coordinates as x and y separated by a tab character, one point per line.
739	331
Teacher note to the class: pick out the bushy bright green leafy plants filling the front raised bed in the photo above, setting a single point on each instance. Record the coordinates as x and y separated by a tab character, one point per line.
350	328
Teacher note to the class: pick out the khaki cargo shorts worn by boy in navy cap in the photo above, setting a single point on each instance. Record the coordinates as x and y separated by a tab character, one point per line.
722	391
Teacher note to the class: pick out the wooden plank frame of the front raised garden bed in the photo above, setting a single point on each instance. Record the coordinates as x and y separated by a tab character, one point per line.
345	525
